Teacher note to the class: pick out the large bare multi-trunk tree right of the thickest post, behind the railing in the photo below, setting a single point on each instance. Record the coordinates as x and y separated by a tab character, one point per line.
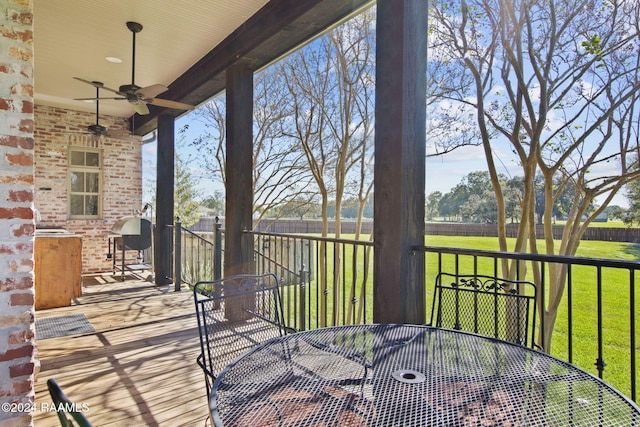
556	83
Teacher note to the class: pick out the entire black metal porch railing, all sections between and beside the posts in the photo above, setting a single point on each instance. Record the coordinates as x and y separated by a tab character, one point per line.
328	281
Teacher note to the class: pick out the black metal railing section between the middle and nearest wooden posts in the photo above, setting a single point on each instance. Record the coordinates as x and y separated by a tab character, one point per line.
325	281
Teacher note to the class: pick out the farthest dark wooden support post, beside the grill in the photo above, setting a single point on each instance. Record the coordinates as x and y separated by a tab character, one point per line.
164	200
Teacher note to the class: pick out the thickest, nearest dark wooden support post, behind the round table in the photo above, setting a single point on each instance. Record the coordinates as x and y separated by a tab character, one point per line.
399	181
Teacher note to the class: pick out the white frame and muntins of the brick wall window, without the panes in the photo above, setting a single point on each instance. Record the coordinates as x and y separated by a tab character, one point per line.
83	169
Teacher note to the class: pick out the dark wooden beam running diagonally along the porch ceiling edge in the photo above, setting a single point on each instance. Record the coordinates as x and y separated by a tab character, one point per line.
279	27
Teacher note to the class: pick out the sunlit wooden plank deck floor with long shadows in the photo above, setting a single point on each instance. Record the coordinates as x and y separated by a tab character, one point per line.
138	368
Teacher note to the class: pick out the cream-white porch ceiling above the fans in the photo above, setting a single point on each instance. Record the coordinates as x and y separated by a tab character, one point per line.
72	38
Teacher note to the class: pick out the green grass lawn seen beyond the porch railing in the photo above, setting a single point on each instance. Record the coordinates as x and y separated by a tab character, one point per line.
616	310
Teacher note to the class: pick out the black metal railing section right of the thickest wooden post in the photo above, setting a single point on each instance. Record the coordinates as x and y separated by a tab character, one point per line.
596	321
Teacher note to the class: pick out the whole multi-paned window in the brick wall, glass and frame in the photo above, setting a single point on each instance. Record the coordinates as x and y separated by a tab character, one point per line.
85	183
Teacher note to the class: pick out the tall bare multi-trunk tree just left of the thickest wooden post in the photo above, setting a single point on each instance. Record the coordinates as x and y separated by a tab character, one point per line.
331	85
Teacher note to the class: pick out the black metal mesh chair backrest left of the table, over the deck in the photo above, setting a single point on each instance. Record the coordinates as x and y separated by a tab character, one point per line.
235	314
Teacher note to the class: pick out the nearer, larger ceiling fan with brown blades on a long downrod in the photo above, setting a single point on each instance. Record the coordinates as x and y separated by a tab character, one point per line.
138	96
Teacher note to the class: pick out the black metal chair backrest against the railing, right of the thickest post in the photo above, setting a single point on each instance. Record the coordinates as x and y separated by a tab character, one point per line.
490	306
